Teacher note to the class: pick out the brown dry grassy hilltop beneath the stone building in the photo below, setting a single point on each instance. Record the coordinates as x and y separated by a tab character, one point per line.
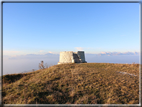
86	83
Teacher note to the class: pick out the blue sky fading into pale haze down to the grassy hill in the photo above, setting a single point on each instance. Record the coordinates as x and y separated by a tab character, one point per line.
40	31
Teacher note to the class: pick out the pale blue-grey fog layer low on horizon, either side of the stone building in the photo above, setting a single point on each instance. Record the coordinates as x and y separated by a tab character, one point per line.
25	63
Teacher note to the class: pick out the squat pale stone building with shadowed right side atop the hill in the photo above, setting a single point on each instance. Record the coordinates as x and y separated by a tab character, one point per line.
72	57
